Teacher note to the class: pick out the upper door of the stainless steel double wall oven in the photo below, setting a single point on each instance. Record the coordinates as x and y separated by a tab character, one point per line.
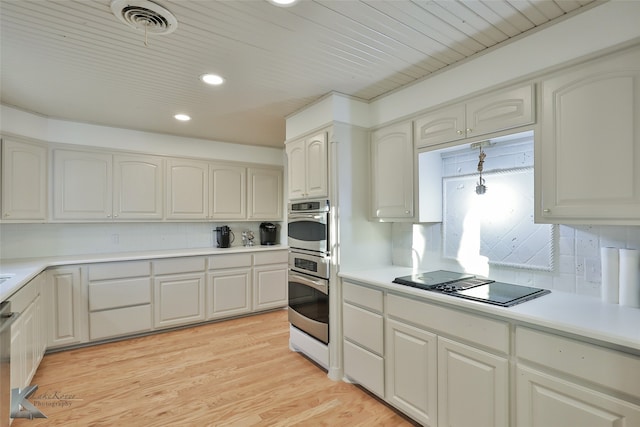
309	231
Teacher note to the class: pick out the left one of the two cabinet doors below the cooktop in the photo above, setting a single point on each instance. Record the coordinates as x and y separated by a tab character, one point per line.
411	380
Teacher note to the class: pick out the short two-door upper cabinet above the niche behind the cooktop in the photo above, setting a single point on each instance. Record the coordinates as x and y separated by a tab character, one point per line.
499	110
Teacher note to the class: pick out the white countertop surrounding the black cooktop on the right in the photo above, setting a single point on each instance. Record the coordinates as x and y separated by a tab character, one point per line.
564	312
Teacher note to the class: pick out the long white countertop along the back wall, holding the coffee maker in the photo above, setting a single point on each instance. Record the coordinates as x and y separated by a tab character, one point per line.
23	270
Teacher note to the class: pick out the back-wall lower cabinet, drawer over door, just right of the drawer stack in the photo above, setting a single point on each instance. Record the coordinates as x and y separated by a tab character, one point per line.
179	289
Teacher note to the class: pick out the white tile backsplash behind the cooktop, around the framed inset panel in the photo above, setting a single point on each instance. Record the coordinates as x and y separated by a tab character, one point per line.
577	255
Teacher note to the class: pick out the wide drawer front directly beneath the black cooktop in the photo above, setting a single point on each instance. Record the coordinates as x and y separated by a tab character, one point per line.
480	330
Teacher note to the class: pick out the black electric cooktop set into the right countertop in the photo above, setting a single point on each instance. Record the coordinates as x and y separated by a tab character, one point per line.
468	286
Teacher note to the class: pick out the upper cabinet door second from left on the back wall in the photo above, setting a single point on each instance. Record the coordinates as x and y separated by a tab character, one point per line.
82	185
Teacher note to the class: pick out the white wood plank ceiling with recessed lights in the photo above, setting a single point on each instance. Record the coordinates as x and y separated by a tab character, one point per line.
74	60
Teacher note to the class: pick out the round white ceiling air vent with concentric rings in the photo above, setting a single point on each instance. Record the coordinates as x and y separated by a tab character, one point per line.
145	16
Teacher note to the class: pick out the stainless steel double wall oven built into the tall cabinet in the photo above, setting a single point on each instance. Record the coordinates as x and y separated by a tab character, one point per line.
309	246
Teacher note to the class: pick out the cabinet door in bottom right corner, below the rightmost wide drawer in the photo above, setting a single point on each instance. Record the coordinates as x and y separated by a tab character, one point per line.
547	401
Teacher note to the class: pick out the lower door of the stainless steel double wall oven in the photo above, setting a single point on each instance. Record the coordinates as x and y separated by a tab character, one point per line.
309	305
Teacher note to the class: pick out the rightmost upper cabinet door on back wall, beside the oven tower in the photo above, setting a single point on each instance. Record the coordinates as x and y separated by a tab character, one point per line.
265	194
